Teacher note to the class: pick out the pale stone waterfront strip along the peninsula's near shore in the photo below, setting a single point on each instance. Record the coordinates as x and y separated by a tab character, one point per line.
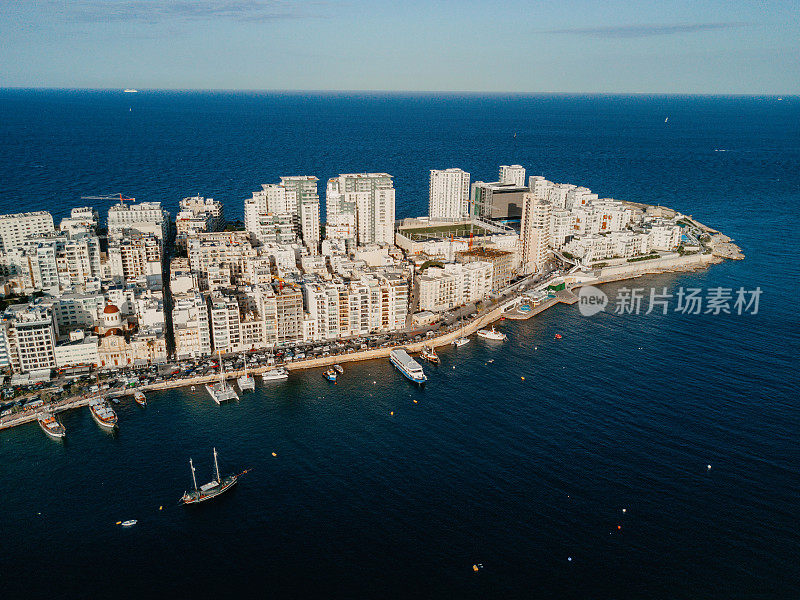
622	272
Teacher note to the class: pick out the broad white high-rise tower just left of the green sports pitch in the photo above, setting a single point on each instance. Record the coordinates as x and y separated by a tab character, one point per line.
370	198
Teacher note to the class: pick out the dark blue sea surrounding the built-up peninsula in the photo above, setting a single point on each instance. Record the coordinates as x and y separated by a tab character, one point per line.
528	477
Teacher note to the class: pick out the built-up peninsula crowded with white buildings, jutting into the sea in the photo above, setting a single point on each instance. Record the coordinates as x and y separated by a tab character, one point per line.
148	303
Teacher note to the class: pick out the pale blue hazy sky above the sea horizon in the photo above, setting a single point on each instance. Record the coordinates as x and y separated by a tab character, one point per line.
570	46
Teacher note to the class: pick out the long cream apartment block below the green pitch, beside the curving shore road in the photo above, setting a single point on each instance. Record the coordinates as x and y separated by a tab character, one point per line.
440	289
